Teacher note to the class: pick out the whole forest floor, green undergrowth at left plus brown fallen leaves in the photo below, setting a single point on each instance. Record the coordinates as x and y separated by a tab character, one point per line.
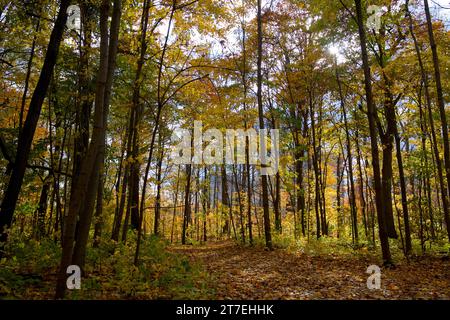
225	270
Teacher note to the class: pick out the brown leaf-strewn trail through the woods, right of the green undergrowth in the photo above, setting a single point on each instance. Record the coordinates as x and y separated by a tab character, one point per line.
256	274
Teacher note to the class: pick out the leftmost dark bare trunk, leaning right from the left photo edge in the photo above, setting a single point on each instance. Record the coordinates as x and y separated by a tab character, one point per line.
29	127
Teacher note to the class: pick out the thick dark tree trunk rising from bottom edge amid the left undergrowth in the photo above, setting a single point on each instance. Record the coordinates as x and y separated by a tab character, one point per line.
90	166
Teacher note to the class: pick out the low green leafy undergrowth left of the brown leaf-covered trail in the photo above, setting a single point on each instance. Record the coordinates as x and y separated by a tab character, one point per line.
29	271
